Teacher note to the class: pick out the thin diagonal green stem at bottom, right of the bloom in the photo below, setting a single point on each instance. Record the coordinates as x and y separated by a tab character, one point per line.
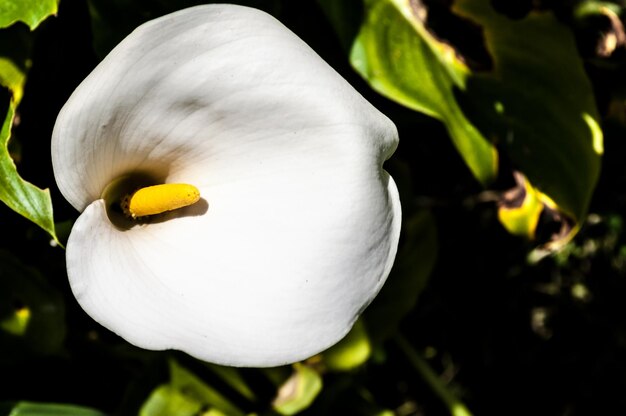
454	405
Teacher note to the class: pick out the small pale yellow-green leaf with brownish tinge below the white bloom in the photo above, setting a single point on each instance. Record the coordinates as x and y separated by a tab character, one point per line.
299	391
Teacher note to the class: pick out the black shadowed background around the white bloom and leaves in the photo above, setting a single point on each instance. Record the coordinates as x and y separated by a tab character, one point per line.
512	337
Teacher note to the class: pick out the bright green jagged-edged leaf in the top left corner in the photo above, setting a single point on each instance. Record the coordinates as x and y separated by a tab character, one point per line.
31	12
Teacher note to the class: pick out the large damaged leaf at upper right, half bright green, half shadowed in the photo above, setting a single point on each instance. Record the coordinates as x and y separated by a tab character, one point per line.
536	104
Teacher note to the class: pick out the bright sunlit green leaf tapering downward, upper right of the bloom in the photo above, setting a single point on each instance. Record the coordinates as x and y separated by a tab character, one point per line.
400	59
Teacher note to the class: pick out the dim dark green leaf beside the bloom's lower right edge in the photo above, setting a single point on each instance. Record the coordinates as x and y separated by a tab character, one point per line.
415	260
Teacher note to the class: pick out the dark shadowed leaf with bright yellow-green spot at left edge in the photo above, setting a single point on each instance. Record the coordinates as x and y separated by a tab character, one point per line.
32	314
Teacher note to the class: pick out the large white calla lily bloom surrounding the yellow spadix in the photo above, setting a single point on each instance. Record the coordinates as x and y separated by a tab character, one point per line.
297	223
